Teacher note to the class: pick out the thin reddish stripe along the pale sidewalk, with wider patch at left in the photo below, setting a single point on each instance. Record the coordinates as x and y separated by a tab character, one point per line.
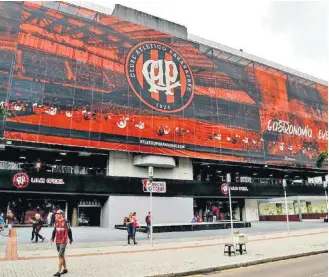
12	248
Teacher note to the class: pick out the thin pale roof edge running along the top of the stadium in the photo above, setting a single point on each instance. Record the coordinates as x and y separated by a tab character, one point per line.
225	52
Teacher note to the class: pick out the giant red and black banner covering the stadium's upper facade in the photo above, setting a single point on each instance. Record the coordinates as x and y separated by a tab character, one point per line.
71	76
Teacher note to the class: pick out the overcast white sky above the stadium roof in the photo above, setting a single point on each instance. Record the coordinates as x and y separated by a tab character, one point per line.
294	34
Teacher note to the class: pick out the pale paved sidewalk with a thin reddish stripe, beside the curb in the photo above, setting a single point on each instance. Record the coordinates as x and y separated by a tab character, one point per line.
166	256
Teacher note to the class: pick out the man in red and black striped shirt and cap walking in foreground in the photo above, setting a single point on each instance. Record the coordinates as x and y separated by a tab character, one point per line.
63	233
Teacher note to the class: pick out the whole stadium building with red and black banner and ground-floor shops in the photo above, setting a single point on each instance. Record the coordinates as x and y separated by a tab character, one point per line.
91	97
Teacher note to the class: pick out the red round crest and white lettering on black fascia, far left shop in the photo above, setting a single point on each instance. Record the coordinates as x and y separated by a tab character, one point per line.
22	180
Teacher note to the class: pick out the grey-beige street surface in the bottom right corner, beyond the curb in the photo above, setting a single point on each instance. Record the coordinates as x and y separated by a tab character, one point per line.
311	266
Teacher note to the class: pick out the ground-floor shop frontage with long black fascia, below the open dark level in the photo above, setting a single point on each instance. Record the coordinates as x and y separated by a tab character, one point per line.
100	200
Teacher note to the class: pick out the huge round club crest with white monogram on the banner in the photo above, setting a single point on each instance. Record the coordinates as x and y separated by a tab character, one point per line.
159	76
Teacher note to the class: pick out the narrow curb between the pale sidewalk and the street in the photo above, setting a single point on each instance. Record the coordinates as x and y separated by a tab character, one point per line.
239	265
